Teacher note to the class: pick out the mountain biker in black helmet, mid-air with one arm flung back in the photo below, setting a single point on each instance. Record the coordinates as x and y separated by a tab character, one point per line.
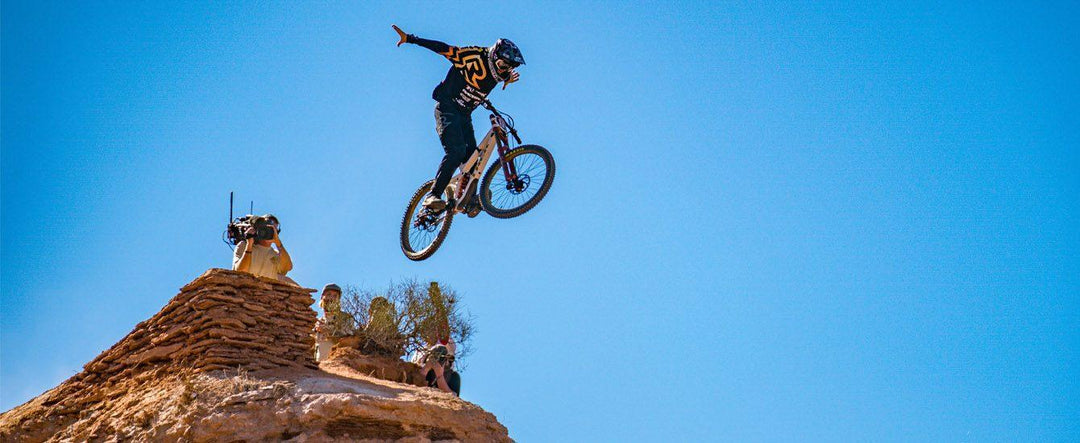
477	71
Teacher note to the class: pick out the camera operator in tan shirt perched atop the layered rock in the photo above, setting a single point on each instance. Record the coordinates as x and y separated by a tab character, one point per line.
255	254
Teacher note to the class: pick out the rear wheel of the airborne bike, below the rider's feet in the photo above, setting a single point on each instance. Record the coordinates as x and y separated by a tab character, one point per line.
423	232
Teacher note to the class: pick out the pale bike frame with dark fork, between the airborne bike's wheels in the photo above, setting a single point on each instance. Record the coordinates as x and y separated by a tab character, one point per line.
472	170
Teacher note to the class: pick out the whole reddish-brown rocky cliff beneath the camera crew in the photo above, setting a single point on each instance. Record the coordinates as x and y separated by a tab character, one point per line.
229	359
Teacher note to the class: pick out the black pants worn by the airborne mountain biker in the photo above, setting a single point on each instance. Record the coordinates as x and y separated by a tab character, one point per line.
455	131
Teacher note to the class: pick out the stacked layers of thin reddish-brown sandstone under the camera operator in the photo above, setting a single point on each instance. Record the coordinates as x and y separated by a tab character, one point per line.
222	320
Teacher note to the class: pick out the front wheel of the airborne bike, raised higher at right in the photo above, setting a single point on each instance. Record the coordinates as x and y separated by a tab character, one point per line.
507	199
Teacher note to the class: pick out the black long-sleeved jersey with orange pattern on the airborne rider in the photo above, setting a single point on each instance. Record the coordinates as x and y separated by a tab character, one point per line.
470	79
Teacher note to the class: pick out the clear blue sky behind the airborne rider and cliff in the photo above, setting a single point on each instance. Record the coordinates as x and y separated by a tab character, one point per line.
788	222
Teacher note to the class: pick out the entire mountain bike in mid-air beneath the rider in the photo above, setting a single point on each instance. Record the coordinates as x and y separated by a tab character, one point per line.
515	184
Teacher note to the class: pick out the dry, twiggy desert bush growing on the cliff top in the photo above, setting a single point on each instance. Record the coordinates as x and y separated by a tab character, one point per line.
411	315
